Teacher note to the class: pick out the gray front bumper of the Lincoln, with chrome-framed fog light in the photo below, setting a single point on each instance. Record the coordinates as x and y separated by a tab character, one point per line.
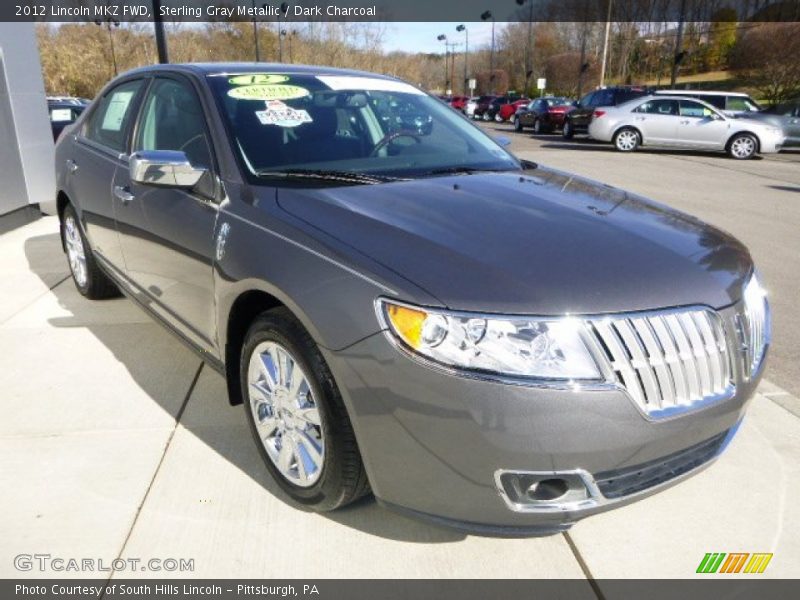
435	444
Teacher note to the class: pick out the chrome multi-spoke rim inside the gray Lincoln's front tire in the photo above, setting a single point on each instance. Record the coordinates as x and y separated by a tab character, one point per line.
286	414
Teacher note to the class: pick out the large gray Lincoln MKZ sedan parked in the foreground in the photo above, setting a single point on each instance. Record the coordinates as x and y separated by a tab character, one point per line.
409	313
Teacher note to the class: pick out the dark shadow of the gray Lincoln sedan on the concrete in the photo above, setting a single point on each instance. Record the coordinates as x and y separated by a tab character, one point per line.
221	427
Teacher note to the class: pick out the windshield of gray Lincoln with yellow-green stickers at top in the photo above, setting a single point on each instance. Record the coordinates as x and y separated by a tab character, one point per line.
346	124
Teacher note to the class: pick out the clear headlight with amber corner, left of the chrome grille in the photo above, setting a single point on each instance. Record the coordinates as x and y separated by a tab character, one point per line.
513	346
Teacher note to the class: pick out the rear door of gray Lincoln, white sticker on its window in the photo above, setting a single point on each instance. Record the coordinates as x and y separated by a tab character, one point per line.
98	151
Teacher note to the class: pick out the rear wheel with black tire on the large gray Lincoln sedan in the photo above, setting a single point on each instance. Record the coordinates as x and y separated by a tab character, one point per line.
90	280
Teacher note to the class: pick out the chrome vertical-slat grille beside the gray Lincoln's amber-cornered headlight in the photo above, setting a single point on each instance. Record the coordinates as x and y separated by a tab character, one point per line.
668	362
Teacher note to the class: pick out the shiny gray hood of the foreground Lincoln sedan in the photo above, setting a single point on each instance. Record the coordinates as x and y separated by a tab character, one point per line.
539	243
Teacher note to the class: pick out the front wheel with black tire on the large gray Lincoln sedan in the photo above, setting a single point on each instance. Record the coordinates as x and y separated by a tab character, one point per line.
297	416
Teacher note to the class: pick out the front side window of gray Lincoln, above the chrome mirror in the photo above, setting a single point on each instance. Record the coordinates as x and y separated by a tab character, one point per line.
172	119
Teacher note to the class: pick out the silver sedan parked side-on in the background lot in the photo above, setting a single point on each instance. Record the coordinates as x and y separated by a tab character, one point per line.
684	123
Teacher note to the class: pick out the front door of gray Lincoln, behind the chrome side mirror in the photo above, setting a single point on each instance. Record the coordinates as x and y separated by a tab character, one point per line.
167	233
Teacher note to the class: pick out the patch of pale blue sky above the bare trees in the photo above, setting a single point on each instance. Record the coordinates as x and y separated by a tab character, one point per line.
421	37
